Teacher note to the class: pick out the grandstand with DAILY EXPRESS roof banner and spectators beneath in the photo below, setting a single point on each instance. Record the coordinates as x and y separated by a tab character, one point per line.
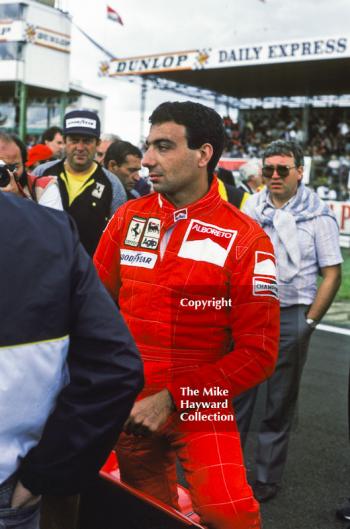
297	89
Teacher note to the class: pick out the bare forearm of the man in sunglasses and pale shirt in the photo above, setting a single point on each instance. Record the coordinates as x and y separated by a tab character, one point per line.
330	283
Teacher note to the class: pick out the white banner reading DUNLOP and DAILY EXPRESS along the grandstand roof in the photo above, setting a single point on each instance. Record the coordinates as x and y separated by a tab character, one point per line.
266	53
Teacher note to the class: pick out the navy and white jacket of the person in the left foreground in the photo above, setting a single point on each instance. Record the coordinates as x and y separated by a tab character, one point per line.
69	369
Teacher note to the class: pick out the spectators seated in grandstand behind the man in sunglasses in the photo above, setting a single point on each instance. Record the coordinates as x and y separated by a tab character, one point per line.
326	139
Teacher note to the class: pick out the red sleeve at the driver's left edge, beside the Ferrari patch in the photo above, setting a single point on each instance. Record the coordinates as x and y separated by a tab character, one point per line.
107	255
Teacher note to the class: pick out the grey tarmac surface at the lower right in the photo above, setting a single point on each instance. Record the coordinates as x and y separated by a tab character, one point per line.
317	476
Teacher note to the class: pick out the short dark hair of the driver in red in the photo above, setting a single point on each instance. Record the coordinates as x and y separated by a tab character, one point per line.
203	125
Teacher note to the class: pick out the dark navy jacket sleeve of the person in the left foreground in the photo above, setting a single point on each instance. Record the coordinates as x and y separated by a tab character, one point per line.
105	376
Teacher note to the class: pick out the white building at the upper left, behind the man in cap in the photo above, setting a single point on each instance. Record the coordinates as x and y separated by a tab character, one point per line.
34	94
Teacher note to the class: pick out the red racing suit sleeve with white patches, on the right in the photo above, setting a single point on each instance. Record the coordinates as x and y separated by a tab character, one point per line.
254	324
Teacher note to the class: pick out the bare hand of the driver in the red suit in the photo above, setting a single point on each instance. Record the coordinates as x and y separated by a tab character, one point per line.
149	414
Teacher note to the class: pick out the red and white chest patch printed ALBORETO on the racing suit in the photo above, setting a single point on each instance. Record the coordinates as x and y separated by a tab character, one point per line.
207	242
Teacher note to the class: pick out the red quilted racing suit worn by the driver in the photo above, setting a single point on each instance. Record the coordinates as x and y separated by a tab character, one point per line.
197	289
